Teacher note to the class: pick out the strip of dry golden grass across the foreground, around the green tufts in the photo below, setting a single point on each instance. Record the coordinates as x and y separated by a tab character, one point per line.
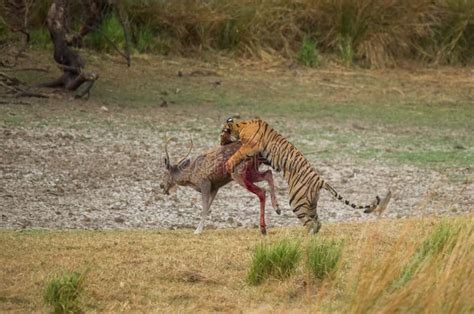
177	271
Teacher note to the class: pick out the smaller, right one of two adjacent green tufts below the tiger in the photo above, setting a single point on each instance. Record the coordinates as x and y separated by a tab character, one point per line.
323	257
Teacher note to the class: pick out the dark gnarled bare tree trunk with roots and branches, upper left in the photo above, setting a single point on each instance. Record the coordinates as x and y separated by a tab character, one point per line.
74	78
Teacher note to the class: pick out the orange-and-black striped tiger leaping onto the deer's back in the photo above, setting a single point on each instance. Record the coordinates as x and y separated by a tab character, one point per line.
304	182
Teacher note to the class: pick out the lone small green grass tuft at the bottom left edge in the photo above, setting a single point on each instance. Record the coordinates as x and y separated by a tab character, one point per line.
63	292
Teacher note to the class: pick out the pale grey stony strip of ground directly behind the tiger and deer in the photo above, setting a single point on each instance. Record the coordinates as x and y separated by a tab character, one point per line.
52	177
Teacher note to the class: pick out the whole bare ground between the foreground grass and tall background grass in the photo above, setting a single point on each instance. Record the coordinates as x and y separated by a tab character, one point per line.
97	164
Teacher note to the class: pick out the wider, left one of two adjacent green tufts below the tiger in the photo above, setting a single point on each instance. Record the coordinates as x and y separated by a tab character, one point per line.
278	260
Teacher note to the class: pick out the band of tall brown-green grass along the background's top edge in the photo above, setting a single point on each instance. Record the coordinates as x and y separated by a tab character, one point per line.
368	33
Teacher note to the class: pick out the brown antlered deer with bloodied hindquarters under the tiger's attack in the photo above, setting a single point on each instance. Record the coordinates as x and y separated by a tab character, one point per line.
206	174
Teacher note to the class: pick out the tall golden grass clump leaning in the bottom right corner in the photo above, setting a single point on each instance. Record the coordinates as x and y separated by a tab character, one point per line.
433	276
